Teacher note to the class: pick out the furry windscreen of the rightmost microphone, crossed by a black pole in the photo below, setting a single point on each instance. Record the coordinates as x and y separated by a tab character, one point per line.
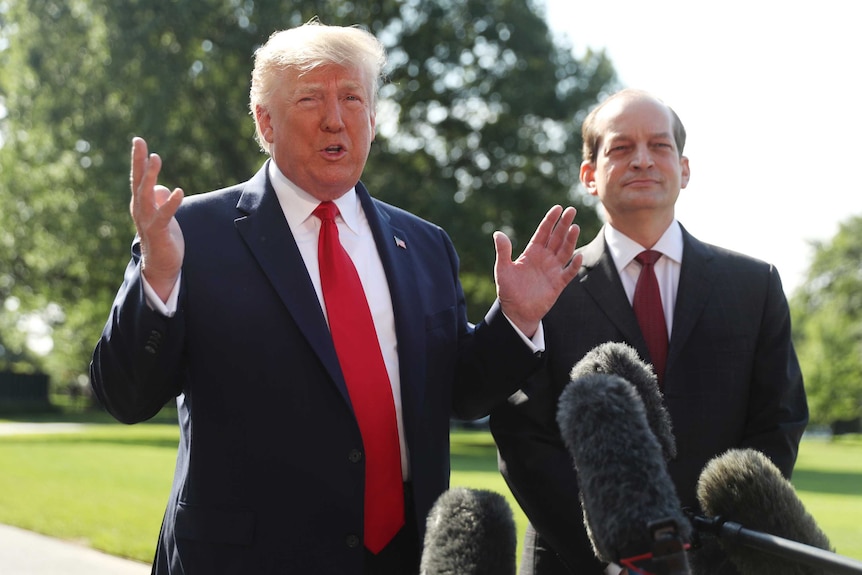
745	487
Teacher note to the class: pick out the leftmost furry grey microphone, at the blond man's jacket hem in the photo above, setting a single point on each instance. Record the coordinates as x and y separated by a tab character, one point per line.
469	532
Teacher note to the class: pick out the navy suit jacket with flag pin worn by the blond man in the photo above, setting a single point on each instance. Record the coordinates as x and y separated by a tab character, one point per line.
269	475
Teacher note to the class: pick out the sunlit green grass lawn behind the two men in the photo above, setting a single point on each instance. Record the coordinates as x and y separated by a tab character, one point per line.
107	486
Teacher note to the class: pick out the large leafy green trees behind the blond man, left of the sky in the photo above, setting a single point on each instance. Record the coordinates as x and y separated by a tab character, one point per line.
478	131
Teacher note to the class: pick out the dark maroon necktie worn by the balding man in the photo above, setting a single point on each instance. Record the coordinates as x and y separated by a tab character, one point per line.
648	309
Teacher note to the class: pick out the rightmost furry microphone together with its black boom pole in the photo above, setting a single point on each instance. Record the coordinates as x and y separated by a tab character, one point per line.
743	487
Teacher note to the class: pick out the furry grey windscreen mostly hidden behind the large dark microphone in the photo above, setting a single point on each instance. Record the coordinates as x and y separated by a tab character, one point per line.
623	360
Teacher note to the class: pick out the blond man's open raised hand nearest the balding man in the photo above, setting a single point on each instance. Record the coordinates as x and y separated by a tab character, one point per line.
529	286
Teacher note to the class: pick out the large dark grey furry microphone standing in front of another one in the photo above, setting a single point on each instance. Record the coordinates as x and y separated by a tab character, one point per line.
631	510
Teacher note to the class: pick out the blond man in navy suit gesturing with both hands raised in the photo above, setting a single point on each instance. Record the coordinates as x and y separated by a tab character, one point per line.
315	338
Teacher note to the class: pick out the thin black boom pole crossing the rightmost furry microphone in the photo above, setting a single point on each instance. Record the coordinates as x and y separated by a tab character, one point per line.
786	548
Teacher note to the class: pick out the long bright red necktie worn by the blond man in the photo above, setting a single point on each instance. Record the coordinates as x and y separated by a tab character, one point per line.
368	384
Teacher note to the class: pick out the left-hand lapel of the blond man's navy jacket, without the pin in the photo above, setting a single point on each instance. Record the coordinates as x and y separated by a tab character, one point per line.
262	226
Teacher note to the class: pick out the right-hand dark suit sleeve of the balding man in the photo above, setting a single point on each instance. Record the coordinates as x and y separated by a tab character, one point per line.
778	409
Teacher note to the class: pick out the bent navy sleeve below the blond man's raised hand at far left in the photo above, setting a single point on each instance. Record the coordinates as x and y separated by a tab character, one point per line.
136	365
